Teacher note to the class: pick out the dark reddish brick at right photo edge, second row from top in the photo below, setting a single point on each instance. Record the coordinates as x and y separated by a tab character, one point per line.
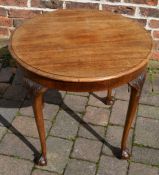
149	12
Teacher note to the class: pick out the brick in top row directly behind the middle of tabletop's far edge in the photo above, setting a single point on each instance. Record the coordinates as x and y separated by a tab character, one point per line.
82	5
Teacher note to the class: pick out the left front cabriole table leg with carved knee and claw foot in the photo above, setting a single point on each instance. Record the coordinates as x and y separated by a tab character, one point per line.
38	92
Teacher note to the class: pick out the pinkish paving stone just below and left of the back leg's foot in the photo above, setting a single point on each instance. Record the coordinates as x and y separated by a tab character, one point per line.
97	116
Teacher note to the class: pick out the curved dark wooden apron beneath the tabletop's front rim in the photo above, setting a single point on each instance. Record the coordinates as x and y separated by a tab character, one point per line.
81	86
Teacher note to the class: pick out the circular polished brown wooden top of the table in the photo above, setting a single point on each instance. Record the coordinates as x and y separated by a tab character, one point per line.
81	45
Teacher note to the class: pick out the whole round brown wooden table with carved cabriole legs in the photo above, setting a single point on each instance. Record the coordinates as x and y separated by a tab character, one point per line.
82	50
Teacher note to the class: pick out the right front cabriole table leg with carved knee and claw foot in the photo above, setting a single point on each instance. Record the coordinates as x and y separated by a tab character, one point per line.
136	88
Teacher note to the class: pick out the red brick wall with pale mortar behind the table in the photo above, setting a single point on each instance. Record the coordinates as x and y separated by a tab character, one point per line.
14	12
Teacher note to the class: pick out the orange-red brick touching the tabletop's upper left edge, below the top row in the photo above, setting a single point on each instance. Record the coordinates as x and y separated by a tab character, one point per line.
22	13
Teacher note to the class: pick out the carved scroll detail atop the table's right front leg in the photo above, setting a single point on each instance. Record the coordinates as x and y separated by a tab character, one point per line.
138	82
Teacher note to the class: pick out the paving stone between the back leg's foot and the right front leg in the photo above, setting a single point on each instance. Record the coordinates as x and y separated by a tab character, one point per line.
122	93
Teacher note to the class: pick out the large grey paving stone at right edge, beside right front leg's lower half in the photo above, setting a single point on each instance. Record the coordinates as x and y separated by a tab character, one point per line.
147	132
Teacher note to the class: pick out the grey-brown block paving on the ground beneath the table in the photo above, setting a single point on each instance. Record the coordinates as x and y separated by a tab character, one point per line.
75	130
